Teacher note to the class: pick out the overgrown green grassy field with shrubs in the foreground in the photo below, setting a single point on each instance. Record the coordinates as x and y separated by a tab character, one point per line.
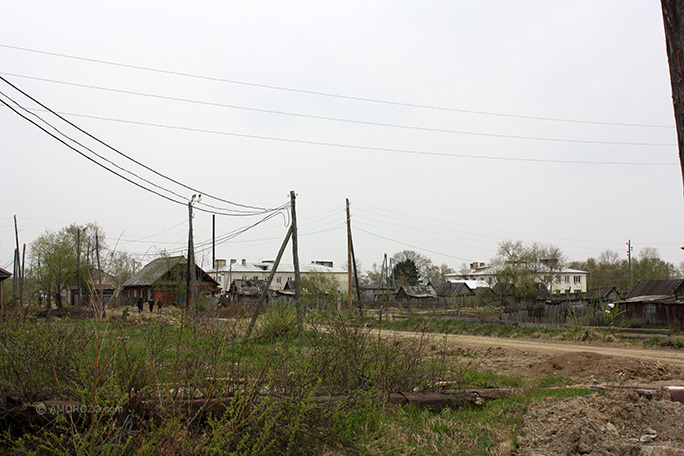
177	385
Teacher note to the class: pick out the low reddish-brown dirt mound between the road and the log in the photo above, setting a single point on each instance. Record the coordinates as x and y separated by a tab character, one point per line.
604	368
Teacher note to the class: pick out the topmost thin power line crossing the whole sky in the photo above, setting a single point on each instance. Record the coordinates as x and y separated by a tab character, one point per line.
333	95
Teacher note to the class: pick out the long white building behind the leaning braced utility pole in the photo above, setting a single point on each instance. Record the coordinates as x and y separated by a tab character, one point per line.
225	273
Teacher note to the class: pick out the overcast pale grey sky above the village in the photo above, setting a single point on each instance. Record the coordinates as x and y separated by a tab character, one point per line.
450	125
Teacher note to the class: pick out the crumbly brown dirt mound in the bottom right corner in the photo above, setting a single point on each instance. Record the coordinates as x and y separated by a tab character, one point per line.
617	423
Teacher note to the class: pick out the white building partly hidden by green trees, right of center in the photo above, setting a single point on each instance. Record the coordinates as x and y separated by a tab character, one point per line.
563	280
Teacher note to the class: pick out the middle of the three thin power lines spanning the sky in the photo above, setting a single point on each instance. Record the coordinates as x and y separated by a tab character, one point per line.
337	119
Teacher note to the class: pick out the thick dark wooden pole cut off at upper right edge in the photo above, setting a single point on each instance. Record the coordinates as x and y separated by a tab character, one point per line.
673	20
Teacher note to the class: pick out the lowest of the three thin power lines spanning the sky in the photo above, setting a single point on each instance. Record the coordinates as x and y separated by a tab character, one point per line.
357	147
